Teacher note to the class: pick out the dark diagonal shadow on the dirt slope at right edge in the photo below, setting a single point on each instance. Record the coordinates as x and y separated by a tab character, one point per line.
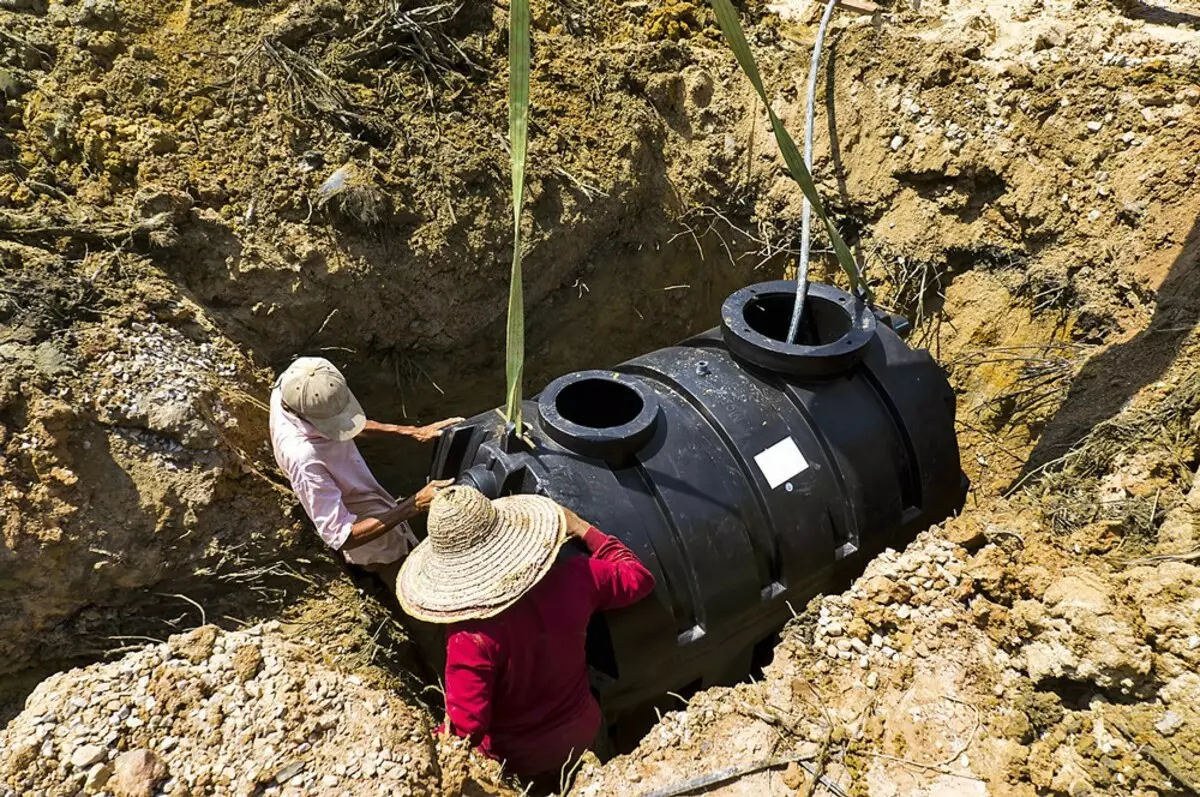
1109	381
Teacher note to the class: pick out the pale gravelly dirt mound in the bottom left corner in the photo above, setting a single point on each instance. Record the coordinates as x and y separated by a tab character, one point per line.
224	714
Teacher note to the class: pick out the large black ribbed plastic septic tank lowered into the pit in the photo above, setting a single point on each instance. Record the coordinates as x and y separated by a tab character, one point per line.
747	474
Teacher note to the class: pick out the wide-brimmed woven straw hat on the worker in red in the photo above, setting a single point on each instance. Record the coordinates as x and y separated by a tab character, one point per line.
481	556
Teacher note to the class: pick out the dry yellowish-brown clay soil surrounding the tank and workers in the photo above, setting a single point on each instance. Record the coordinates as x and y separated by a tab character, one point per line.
194	194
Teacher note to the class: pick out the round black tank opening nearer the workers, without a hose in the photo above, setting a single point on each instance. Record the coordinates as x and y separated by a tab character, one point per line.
599	414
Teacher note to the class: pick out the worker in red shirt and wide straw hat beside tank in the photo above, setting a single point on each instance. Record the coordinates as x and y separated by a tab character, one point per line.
517	681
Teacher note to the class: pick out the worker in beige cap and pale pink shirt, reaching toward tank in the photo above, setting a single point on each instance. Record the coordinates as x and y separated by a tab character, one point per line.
314	421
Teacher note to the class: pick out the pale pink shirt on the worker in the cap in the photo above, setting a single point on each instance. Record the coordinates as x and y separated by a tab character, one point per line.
335	487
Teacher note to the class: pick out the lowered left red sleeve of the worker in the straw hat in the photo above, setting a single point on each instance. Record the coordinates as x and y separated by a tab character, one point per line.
472	660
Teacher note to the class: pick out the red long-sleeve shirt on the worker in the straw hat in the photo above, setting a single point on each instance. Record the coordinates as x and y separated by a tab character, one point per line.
518	684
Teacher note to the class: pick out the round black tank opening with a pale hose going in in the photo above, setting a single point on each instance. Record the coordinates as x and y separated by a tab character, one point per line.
833	335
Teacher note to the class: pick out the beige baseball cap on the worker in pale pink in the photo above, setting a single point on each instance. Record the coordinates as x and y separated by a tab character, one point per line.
317	392
